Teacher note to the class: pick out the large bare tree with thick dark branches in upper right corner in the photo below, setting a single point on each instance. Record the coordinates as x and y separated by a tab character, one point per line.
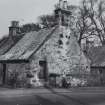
93	14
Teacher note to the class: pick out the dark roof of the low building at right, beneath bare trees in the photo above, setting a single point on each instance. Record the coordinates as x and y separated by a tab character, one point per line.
97	56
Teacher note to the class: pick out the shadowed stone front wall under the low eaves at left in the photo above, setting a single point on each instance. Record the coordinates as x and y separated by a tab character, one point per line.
17	74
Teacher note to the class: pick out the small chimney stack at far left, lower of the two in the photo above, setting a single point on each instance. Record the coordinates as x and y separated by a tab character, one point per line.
14	28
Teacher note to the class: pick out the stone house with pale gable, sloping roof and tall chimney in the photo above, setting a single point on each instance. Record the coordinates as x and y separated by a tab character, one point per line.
50	51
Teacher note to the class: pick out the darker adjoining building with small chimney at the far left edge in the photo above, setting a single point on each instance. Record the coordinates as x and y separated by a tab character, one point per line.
7	42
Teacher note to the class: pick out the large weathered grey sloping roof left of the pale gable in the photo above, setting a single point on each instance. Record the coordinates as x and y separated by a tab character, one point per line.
27	45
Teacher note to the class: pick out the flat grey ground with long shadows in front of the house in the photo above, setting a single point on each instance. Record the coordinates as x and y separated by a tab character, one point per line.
42	96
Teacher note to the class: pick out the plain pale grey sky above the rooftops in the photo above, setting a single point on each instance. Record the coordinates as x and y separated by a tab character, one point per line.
24	11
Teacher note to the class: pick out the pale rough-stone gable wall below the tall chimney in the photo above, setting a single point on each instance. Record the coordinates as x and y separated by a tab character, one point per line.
62	54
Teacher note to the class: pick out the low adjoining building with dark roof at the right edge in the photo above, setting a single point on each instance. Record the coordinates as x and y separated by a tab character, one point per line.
97	57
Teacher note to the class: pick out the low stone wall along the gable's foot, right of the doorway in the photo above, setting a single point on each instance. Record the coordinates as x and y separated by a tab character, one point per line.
77	80
